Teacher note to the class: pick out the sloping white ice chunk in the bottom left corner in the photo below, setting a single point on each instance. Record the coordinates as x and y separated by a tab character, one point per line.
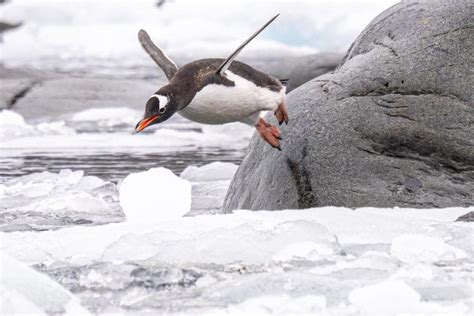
27	291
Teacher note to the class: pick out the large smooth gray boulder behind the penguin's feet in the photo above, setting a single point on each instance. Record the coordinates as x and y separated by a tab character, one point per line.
393	126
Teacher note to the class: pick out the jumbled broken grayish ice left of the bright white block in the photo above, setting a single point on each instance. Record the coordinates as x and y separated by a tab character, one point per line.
50	200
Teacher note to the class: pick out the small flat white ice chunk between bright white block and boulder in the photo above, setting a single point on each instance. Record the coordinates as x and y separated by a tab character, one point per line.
211	172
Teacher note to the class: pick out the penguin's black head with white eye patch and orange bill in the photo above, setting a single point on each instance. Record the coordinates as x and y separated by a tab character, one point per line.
159	107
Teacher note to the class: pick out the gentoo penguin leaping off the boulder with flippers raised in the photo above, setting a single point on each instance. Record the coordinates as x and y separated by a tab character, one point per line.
216	91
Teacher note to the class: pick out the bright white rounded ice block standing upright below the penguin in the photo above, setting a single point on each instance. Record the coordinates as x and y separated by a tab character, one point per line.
154	195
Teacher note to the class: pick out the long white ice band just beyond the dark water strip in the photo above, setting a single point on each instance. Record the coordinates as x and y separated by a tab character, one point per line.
89	134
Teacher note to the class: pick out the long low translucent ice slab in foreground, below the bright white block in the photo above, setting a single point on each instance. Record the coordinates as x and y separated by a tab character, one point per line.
244	243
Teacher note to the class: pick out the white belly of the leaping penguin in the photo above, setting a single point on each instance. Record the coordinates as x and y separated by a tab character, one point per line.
219	104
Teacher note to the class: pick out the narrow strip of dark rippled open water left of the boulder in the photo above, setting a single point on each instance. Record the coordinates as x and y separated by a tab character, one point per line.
112	166
